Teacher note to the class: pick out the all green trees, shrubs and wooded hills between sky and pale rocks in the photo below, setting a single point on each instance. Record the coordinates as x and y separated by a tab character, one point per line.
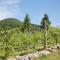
17	37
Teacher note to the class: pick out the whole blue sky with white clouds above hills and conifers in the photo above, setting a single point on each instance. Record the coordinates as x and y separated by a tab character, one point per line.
34	8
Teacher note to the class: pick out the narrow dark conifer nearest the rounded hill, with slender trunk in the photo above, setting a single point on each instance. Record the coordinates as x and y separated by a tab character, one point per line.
26	27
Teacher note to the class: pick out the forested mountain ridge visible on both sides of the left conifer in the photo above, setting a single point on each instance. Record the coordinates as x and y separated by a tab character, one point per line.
10	23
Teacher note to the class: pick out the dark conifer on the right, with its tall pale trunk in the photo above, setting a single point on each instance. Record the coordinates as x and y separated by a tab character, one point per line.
45	23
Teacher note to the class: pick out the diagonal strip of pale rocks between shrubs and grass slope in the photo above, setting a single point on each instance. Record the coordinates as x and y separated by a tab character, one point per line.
37	54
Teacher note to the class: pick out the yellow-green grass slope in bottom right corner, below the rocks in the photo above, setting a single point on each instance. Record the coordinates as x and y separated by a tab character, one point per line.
52	56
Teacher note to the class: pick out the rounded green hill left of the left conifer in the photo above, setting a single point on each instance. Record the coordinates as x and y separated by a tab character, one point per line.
10	23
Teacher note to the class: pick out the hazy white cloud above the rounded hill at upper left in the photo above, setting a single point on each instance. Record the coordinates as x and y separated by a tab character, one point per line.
9	8
